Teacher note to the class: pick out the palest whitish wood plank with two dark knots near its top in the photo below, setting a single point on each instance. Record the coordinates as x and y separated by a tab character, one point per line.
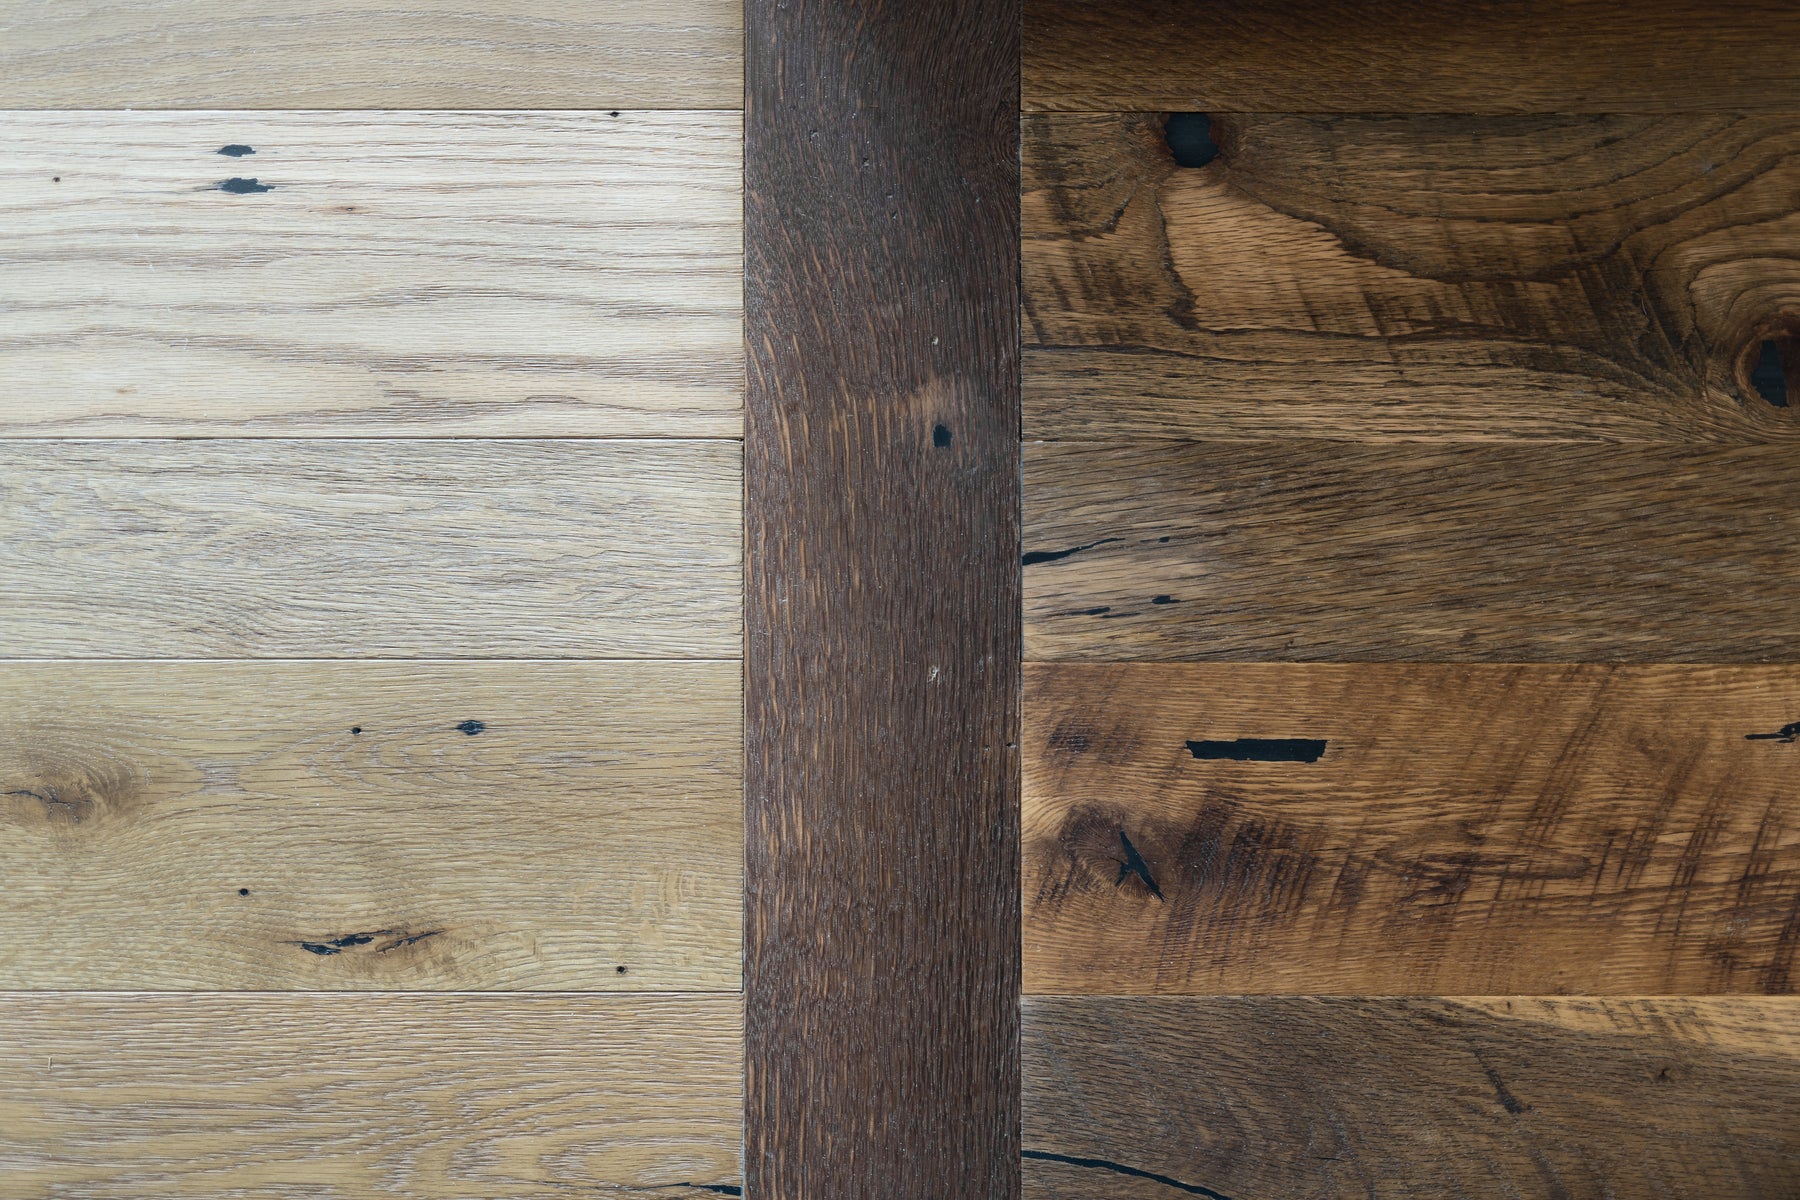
409	274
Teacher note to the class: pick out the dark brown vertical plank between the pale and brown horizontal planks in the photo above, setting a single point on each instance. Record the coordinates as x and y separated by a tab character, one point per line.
883	600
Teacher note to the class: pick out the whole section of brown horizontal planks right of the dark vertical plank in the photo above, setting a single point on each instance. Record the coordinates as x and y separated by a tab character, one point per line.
1410	695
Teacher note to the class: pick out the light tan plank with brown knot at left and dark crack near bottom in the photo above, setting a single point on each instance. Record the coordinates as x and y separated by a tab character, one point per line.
372	827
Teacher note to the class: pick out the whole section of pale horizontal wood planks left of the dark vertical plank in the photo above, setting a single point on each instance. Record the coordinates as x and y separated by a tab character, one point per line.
372	494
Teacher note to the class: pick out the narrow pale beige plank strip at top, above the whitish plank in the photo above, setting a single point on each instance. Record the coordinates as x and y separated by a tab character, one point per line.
357	55
